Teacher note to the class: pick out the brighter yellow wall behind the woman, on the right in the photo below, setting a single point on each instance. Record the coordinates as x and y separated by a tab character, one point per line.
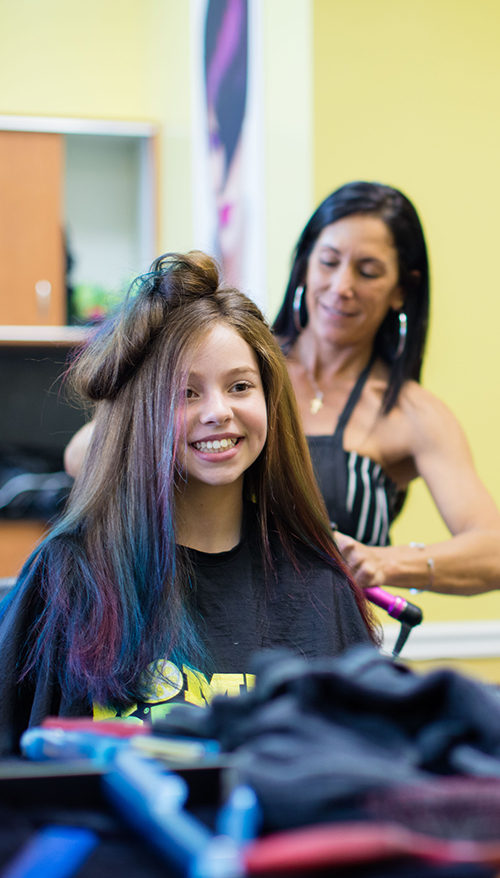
408	93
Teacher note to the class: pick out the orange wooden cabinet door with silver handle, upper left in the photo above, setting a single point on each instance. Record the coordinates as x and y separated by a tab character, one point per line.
32	253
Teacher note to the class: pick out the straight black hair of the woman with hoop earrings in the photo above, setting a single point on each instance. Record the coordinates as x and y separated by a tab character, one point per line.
402	219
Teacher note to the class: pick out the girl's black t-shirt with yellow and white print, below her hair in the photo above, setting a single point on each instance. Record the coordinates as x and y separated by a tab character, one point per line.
306	607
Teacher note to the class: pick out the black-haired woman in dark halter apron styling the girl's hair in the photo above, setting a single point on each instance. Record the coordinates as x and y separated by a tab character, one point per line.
353	326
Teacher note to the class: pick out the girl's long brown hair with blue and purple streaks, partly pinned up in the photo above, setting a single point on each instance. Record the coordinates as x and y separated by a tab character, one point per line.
116	586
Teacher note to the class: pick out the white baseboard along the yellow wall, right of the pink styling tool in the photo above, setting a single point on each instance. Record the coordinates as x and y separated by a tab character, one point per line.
436	640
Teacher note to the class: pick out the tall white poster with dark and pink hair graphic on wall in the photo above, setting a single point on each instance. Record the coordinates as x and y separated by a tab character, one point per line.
228	147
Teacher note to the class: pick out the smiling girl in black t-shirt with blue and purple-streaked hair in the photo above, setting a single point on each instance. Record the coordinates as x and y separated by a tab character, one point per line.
195	533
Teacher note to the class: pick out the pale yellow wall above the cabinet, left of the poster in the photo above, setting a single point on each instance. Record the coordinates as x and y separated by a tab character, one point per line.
108	59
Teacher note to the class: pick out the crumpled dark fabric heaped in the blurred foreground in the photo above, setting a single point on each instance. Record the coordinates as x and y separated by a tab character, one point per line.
315	737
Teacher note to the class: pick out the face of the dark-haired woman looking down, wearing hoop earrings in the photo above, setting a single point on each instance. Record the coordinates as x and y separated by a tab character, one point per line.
352	280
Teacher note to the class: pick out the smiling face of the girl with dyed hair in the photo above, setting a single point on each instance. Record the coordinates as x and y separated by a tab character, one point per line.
224	410
